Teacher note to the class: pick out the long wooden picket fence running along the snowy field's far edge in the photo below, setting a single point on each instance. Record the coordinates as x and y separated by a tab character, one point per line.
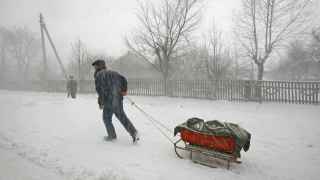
233	90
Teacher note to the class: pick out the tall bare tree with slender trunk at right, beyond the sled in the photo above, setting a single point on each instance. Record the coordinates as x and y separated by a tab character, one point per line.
267	25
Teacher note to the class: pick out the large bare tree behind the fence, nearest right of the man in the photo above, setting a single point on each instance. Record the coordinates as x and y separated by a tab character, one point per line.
164	31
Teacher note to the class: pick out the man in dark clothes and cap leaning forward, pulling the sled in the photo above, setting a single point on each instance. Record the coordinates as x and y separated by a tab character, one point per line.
111	87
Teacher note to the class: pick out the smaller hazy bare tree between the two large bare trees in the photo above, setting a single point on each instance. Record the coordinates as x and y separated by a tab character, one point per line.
212	59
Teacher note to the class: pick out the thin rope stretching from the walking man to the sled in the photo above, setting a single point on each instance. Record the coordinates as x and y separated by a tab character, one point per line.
153	121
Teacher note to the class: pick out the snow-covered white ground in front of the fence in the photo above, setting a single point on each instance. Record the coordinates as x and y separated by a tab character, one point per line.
46	136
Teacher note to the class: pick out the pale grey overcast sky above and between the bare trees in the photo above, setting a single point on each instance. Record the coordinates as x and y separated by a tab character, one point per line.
101	24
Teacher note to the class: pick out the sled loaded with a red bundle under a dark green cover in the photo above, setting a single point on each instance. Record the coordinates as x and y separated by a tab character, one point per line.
221	140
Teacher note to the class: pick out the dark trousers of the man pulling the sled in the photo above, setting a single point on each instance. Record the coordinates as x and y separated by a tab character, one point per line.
115	106
